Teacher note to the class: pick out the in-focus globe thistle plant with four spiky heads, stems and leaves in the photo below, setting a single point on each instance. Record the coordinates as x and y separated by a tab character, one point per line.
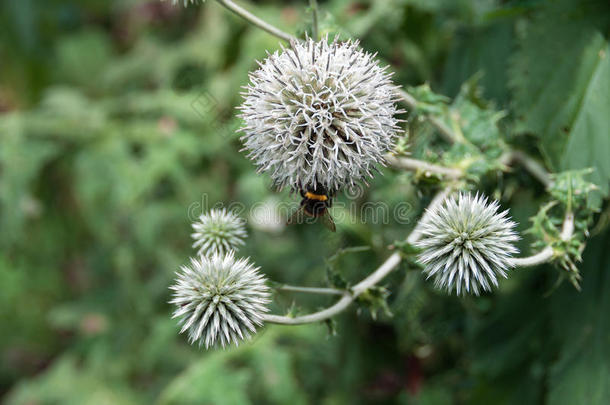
323	115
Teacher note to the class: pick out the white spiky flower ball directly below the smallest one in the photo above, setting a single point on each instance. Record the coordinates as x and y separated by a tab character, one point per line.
219	300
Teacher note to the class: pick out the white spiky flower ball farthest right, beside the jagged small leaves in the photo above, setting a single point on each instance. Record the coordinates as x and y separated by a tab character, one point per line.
467	244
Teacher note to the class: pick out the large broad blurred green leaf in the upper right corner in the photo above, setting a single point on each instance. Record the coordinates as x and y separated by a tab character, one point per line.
561	81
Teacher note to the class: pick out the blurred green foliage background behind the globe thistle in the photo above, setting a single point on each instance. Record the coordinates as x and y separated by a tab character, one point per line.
118	127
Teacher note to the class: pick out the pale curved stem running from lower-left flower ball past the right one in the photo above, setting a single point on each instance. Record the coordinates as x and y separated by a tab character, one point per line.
349	296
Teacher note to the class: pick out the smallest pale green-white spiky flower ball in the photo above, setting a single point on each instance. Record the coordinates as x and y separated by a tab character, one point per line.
218	231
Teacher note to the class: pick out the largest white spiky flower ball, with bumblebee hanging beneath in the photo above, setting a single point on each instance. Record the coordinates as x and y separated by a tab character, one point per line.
319	114
